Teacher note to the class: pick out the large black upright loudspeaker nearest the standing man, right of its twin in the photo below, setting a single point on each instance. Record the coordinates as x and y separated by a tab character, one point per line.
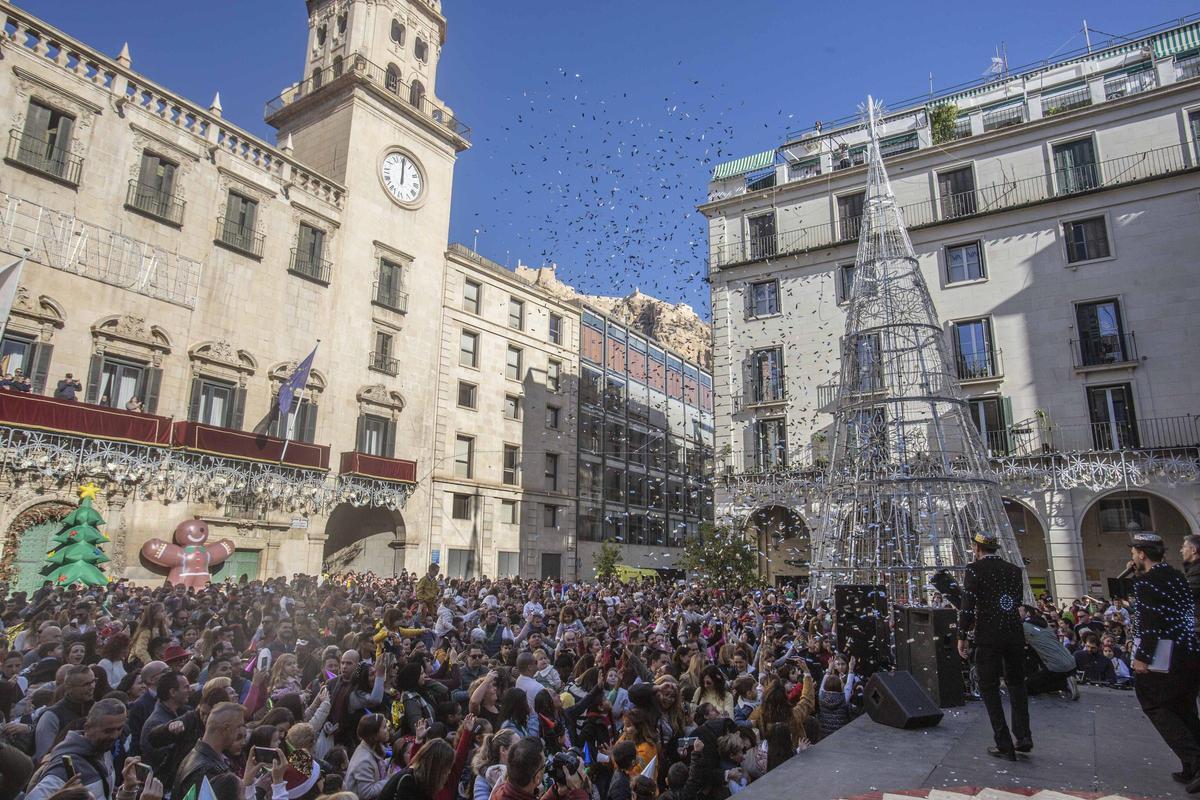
927	647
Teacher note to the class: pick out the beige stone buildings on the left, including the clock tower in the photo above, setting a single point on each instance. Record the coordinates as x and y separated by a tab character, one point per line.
177	260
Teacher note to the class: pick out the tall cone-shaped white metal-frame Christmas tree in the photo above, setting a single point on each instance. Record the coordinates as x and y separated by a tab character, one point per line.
909	483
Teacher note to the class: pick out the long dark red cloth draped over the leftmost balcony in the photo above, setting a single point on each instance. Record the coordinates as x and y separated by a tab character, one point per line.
38	413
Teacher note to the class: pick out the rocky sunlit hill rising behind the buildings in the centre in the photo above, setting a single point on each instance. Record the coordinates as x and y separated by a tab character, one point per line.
675	326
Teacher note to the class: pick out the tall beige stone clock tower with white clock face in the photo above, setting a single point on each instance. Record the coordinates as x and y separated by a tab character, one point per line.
367	113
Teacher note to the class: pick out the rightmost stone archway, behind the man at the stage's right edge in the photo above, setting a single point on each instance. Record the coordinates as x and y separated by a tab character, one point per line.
1107	527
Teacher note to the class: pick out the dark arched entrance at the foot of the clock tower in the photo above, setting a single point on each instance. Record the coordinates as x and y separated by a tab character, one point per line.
362	539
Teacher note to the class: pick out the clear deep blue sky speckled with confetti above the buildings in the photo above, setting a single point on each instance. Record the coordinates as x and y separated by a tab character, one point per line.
597	124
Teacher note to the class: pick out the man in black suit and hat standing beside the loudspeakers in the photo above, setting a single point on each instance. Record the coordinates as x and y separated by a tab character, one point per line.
993	591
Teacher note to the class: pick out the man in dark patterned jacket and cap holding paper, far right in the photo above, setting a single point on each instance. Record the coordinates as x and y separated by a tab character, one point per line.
1166	654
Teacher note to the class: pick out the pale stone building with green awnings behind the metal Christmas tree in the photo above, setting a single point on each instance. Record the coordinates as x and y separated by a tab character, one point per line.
1054	214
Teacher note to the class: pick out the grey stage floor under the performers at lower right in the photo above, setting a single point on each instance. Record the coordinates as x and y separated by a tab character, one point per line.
1099	747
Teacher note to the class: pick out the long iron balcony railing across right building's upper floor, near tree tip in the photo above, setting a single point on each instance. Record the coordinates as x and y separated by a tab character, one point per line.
994	197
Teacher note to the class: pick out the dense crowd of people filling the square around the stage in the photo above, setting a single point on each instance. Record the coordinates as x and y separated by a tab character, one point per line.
428	689
